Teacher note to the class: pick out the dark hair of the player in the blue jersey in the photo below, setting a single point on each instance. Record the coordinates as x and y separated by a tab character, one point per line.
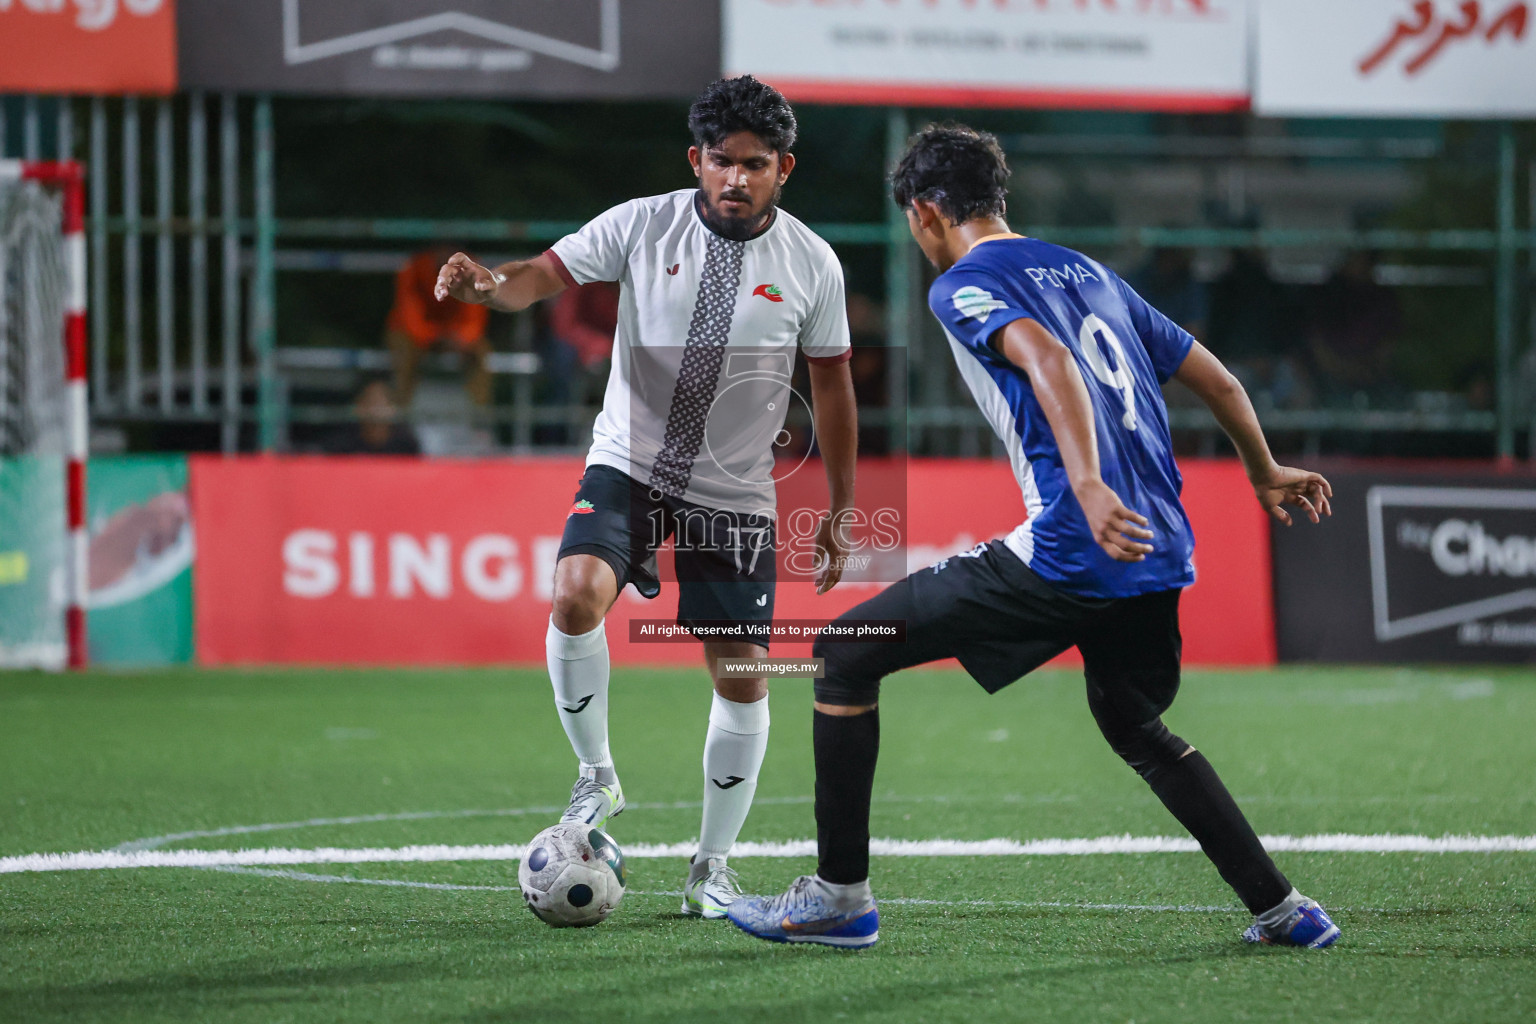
956	168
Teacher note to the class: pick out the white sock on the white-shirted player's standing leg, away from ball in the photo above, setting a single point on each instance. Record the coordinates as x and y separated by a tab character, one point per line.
733	751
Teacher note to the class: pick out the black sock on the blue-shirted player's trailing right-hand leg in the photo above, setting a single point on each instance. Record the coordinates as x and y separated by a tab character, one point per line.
1191	790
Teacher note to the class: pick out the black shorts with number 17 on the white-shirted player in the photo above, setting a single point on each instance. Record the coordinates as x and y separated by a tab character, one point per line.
726	561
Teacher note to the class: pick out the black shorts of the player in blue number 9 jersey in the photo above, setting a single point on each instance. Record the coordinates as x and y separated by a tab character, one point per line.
995	615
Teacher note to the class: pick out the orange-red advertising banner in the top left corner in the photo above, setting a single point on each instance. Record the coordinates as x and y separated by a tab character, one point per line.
99	47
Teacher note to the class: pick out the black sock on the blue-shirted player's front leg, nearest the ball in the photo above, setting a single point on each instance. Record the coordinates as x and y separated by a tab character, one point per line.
846	755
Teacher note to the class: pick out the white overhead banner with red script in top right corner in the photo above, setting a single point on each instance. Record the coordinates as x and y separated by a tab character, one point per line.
1397	59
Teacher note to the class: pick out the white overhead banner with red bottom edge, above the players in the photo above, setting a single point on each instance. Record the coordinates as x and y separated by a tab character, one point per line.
1167	56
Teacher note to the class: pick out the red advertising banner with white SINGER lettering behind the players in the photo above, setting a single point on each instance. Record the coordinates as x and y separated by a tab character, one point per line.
435	563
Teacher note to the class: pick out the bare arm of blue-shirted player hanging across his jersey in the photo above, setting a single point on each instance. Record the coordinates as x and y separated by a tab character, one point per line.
1064	397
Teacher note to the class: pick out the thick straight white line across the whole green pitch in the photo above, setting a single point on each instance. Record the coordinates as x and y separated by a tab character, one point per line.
1336	844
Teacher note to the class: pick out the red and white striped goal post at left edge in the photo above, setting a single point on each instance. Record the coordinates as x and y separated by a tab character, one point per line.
68	177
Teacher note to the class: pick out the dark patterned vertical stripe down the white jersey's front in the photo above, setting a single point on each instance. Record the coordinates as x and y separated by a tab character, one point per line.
701	365
